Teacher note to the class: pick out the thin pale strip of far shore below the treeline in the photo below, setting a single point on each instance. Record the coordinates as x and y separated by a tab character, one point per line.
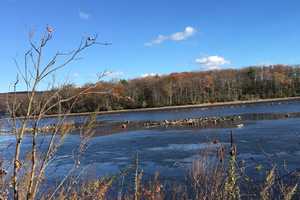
204	105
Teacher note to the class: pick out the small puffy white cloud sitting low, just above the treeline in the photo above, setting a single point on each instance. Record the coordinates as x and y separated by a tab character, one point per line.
212	62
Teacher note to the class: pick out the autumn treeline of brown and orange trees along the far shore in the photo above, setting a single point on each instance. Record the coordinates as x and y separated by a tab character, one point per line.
249	83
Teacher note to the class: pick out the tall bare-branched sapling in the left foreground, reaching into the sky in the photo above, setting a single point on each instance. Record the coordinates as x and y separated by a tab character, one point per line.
32	74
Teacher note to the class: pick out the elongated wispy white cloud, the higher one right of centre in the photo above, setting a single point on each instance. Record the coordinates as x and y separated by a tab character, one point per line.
178	36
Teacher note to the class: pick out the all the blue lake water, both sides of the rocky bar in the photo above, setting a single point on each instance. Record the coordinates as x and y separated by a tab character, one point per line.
172	151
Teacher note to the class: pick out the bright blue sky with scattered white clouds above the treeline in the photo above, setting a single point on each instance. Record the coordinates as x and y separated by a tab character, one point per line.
151	36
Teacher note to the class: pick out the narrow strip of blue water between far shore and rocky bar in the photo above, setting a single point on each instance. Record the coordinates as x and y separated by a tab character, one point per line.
156	115
